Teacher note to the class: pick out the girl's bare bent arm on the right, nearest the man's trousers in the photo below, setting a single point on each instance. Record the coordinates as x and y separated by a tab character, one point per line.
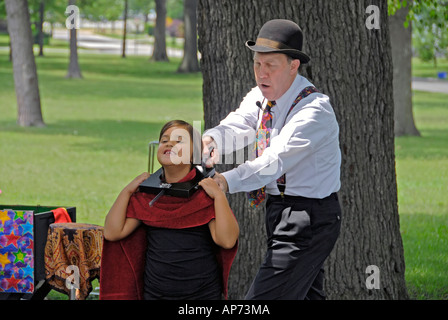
224	228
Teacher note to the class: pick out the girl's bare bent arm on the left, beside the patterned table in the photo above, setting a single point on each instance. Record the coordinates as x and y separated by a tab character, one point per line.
116	225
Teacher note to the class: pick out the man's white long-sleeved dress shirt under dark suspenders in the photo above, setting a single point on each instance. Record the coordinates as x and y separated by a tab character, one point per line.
305	145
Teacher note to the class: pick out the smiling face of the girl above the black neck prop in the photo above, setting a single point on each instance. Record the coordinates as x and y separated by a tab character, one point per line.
175	147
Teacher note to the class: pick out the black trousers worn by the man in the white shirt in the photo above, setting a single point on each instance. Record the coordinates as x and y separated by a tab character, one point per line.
301	234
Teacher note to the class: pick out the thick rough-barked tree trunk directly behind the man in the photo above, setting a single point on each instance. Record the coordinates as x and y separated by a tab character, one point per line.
353	66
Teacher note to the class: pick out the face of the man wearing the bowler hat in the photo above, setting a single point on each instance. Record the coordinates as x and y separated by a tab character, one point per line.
274	73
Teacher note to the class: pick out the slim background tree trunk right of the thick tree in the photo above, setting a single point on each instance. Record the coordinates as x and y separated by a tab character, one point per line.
401	40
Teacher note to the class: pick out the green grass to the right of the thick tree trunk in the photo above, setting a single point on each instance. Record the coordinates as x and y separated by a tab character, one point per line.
422	170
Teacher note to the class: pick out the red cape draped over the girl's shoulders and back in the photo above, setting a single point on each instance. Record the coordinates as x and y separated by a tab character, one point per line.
123	262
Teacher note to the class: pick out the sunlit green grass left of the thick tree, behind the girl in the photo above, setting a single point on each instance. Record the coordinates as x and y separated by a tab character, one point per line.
97	133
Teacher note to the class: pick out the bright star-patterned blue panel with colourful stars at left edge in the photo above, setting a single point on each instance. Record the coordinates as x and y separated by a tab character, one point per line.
16	251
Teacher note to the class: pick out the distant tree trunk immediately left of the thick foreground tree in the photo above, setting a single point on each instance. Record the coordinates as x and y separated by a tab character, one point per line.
190	60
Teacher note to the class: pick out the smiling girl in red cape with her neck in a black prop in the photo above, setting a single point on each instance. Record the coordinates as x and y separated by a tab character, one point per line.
190	243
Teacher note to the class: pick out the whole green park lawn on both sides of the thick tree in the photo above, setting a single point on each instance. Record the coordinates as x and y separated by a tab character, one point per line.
98	130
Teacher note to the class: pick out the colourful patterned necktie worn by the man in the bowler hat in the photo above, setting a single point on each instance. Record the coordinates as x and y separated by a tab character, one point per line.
262	142
